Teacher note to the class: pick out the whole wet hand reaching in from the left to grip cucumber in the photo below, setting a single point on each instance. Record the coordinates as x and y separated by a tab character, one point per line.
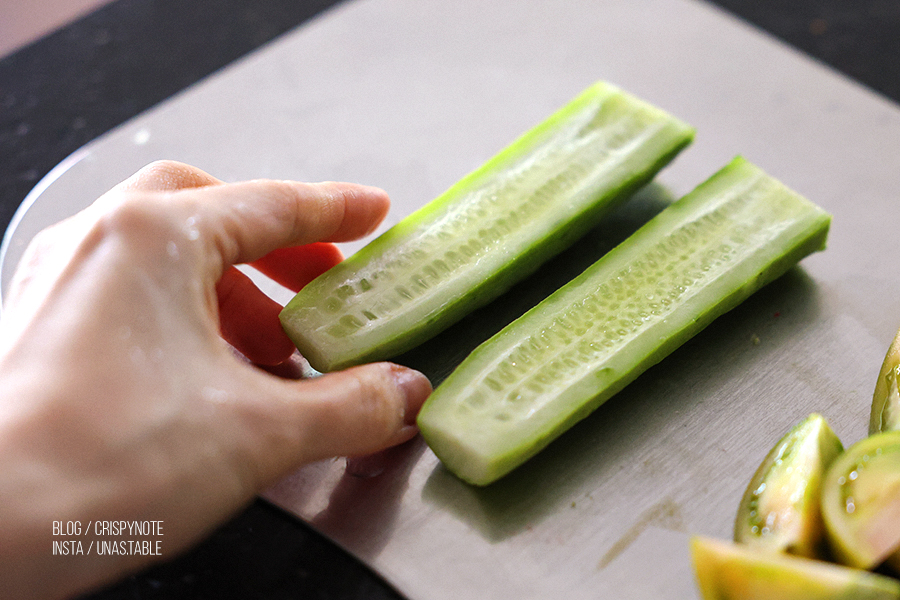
119	399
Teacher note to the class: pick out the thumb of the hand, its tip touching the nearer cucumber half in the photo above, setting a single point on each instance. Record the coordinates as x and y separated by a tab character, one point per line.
353	412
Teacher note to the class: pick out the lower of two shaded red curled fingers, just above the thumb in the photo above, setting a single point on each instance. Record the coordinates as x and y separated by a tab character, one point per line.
249	320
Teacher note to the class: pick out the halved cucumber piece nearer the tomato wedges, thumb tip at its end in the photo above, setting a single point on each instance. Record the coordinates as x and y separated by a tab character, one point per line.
545	371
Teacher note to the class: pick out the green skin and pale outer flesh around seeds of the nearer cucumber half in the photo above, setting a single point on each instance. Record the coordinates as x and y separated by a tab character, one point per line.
480	451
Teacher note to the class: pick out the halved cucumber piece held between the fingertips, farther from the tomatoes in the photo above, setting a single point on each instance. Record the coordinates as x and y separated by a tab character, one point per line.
488	231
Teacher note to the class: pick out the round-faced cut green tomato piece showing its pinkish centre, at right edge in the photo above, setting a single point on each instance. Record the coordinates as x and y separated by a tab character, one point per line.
861	502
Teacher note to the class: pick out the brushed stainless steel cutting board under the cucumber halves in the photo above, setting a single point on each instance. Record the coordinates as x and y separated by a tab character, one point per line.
412	94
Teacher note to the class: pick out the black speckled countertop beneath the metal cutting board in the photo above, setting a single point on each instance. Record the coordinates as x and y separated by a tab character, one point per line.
79	82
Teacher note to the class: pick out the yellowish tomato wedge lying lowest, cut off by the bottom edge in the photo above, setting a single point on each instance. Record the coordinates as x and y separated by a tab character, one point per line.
729	571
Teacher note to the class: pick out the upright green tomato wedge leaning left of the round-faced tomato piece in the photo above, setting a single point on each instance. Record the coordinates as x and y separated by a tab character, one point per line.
780	508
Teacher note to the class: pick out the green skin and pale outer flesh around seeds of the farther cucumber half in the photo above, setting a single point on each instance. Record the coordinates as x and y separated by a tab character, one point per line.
307	325
